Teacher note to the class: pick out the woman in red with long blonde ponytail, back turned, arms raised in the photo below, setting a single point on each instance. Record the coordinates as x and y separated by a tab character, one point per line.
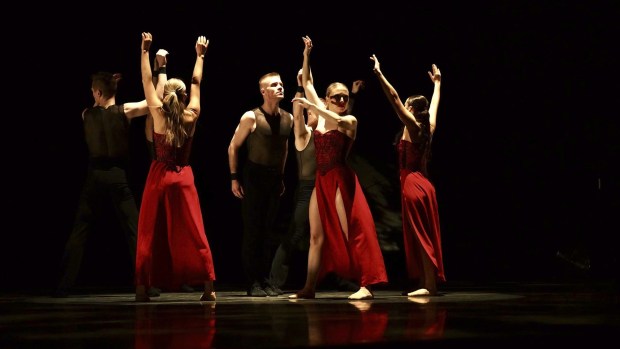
172	245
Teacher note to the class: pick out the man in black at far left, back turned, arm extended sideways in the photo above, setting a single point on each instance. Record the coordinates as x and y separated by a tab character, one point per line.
106	130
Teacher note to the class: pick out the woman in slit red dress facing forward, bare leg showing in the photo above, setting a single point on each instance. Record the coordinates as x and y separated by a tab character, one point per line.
343	238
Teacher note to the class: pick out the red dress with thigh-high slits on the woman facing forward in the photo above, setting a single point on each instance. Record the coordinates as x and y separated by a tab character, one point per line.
357	256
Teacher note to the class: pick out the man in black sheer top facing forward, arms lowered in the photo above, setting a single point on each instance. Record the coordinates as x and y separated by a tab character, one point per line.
266	130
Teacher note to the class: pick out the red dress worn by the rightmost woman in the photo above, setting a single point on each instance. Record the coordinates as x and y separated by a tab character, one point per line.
419	210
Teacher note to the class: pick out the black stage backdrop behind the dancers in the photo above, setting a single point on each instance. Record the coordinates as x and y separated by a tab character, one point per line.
524	154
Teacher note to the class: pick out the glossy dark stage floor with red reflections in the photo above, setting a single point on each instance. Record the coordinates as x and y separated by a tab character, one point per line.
499	315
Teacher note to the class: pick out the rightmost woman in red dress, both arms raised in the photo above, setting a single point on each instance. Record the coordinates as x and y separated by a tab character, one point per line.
419	201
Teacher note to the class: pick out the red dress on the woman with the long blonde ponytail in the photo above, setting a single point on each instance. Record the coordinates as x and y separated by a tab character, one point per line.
172	246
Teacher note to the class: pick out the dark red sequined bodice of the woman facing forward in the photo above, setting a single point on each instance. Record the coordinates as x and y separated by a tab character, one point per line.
332	149
